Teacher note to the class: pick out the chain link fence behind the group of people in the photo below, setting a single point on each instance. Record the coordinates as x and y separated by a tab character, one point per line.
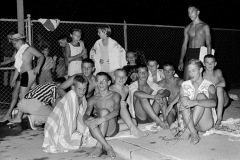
162	43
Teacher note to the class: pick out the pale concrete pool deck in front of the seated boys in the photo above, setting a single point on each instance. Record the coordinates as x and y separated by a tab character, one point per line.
26	145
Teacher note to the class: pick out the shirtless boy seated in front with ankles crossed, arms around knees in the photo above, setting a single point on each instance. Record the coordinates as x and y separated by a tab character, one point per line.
106	103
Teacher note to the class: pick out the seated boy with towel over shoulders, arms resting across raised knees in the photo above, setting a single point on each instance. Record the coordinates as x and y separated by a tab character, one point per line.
143	91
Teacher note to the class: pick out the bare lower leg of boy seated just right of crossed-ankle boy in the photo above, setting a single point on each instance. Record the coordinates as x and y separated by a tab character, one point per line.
134	130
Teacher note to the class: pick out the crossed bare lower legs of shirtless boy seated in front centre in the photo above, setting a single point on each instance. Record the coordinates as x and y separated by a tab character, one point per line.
99	133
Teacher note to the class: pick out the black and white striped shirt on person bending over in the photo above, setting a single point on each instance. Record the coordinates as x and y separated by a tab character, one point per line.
46	93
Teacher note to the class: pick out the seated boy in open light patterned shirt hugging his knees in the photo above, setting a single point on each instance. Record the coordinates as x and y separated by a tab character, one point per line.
197	102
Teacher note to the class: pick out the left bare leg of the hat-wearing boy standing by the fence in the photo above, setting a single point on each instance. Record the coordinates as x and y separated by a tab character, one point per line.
13	102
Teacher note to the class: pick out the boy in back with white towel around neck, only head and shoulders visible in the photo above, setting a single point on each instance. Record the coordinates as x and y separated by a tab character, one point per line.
155	74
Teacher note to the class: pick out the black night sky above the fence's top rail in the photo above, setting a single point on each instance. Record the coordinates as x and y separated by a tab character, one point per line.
217	13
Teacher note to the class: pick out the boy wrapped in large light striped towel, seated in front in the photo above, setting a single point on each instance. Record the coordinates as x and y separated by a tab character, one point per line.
64	129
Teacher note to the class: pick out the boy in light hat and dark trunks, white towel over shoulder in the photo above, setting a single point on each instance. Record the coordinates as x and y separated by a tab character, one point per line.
25	72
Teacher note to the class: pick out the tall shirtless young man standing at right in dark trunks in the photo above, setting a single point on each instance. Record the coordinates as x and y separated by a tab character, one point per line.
196	34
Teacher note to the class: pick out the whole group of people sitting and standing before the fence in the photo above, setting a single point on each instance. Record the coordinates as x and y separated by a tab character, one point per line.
109	91
